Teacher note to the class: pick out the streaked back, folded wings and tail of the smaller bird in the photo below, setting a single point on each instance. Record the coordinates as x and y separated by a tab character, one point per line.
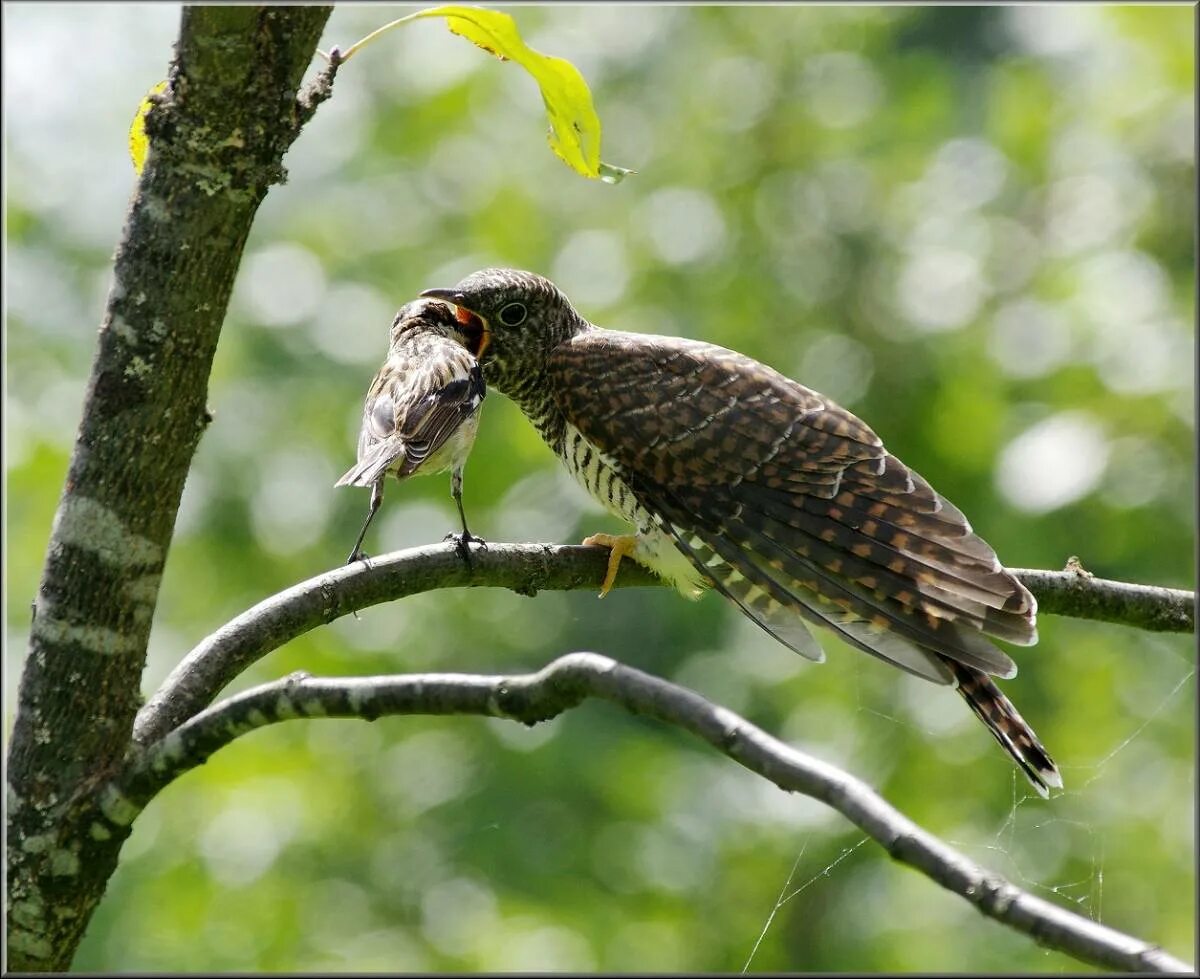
418	400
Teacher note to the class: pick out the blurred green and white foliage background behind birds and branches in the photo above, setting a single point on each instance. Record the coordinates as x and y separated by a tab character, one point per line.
975	227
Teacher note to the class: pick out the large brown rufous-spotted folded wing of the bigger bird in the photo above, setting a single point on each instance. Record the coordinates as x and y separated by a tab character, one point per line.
790	504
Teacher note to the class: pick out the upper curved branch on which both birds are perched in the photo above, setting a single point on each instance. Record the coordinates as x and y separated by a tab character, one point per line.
527	569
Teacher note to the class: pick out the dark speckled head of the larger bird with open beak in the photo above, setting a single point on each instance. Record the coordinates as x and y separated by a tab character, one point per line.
521	317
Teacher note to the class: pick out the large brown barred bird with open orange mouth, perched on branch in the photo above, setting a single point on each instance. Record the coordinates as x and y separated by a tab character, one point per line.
743	481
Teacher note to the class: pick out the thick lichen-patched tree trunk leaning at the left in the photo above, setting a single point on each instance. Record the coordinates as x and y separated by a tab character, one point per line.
218	140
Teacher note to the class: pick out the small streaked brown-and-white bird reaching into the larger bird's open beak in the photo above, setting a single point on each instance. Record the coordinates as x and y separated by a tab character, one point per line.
423	409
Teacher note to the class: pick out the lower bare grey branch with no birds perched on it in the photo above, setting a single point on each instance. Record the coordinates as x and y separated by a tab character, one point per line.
565	684
